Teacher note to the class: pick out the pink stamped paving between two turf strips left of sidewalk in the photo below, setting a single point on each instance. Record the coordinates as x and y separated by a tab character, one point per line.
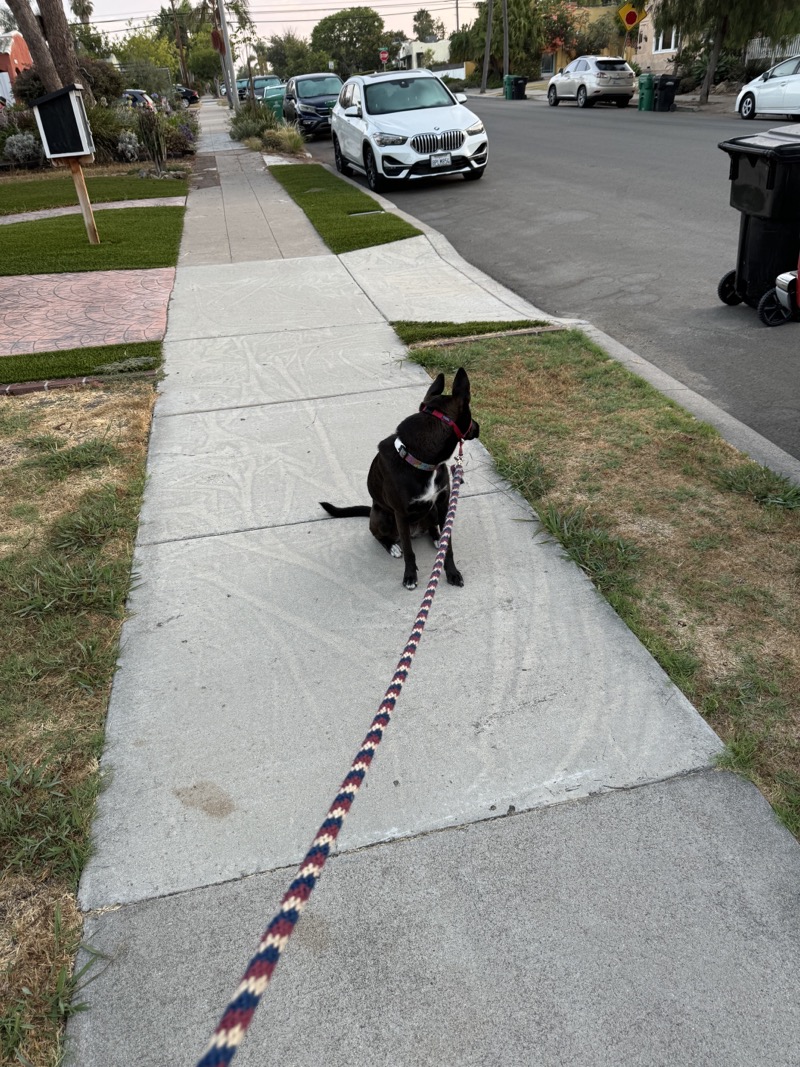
41	313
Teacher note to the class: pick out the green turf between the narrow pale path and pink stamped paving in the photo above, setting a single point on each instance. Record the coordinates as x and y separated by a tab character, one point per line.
137	238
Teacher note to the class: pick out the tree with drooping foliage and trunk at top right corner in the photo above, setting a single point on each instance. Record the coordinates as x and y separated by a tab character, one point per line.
728	23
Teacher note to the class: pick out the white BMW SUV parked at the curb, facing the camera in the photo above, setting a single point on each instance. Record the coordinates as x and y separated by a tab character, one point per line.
406	124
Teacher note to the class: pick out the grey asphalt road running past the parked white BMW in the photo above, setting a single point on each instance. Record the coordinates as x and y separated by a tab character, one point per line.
622	218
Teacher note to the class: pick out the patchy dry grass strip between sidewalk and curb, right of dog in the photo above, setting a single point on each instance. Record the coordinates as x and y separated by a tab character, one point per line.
696	548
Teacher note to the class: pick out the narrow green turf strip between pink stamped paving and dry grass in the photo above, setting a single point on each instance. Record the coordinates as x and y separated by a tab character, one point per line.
81	362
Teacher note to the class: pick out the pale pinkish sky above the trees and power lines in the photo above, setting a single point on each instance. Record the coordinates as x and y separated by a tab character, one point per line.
276	18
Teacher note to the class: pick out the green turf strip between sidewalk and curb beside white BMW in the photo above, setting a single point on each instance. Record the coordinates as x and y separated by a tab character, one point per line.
337	210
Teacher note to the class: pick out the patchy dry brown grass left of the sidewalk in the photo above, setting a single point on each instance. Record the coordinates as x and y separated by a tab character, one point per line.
57	661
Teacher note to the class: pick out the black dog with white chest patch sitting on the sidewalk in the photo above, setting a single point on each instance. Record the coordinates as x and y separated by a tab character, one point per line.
409	481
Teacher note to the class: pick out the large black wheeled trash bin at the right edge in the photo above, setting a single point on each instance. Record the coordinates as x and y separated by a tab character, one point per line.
765	188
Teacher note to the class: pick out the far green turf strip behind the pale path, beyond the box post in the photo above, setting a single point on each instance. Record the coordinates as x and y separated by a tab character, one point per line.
18	197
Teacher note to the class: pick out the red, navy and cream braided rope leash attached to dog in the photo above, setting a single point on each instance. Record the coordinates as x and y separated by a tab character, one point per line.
238	1016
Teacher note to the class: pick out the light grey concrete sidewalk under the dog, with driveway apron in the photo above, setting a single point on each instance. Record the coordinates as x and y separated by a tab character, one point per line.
543	869
